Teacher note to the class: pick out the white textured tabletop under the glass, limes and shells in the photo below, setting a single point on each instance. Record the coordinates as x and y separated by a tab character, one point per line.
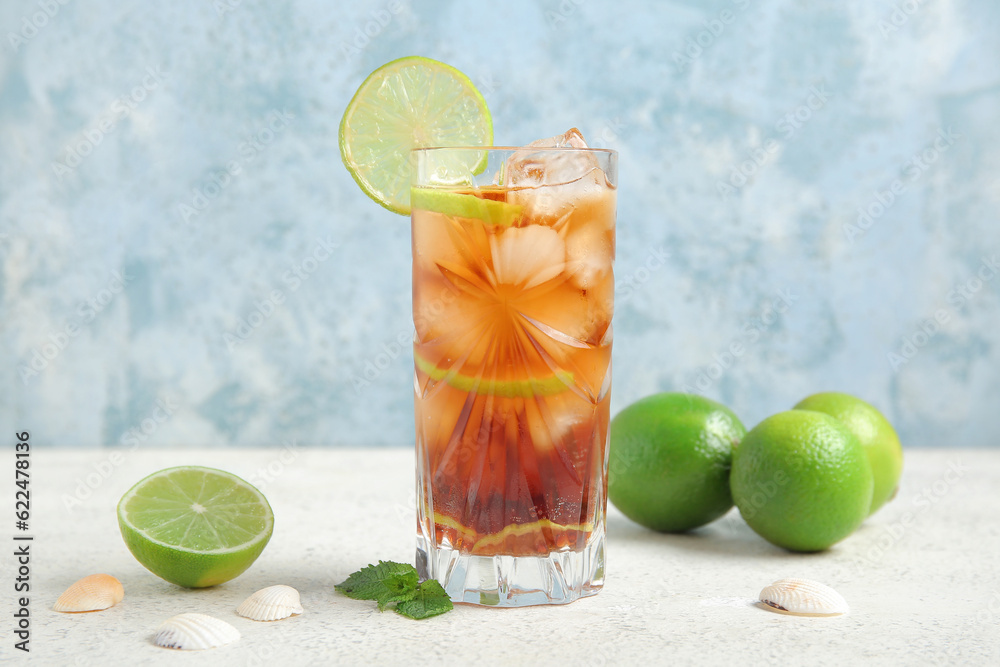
922	576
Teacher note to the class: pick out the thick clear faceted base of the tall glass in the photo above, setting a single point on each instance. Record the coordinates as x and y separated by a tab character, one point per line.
515	581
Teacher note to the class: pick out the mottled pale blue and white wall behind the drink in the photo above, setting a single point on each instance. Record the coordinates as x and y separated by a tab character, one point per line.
810	200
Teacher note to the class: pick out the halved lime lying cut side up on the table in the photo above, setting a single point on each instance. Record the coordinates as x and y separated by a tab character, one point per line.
194	526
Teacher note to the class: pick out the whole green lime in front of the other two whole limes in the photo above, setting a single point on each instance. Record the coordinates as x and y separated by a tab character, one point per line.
802	480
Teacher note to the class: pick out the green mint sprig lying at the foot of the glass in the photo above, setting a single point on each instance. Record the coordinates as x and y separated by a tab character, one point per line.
397	584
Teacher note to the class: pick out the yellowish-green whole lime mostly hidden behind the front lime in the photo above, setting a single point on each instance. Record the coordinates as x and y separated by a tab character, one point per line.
875	433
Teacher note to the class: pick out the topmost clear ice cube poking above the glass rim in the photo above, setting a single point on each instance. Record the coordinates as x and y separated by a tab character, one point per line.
528	168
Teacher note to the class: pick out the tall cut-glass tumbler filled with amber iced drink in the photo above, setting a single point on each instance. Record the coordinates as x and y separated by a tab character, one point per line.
513	293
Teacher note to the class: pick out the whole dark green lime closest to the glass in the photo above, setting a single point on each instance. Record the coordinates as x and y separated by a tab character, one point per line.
668	465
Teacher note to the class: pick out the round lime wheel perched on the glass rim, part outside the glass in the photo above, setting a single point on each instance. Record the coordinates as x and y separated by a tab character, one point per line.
413	102
